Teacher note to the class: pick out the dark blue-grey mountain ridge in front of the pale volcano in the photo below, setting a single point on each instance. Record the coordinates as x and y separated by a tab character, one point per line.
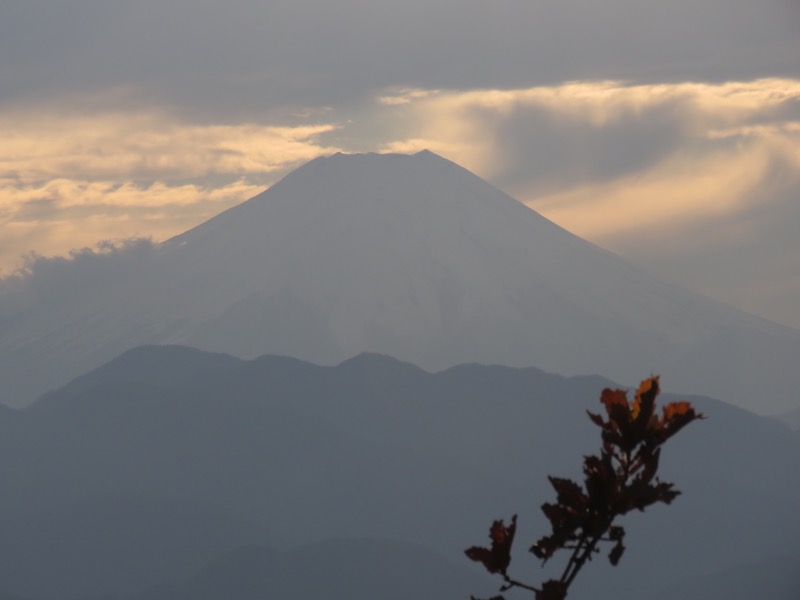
170	471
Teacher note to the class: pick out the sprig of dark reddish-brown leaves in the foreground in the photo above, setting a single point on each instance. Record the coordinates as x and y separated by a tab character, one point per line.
622	478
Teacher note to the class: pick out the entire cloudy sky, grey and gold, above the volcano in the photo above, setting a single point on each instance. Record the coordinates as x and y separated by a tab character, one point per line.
668	133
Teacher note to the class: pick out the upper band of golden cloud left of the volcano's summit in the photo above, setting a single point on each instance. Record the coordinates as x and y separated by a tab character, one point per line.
145	145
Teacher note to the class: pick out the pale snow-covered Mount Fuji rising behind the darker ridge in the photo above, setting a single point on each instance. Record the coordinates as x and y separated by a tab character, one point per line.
410	256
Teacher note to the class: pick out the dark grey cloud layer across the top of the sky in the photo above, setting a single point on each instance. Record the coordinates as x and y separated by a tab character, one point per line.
256	58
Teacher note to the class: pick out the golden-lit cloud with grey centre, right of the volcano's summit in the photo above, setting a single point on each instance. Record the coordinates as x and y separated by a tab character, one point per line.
727	138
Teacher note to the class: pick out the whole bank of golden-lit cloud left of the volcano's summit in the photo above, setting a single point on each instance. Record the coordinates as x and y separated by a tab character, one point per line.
69	179
